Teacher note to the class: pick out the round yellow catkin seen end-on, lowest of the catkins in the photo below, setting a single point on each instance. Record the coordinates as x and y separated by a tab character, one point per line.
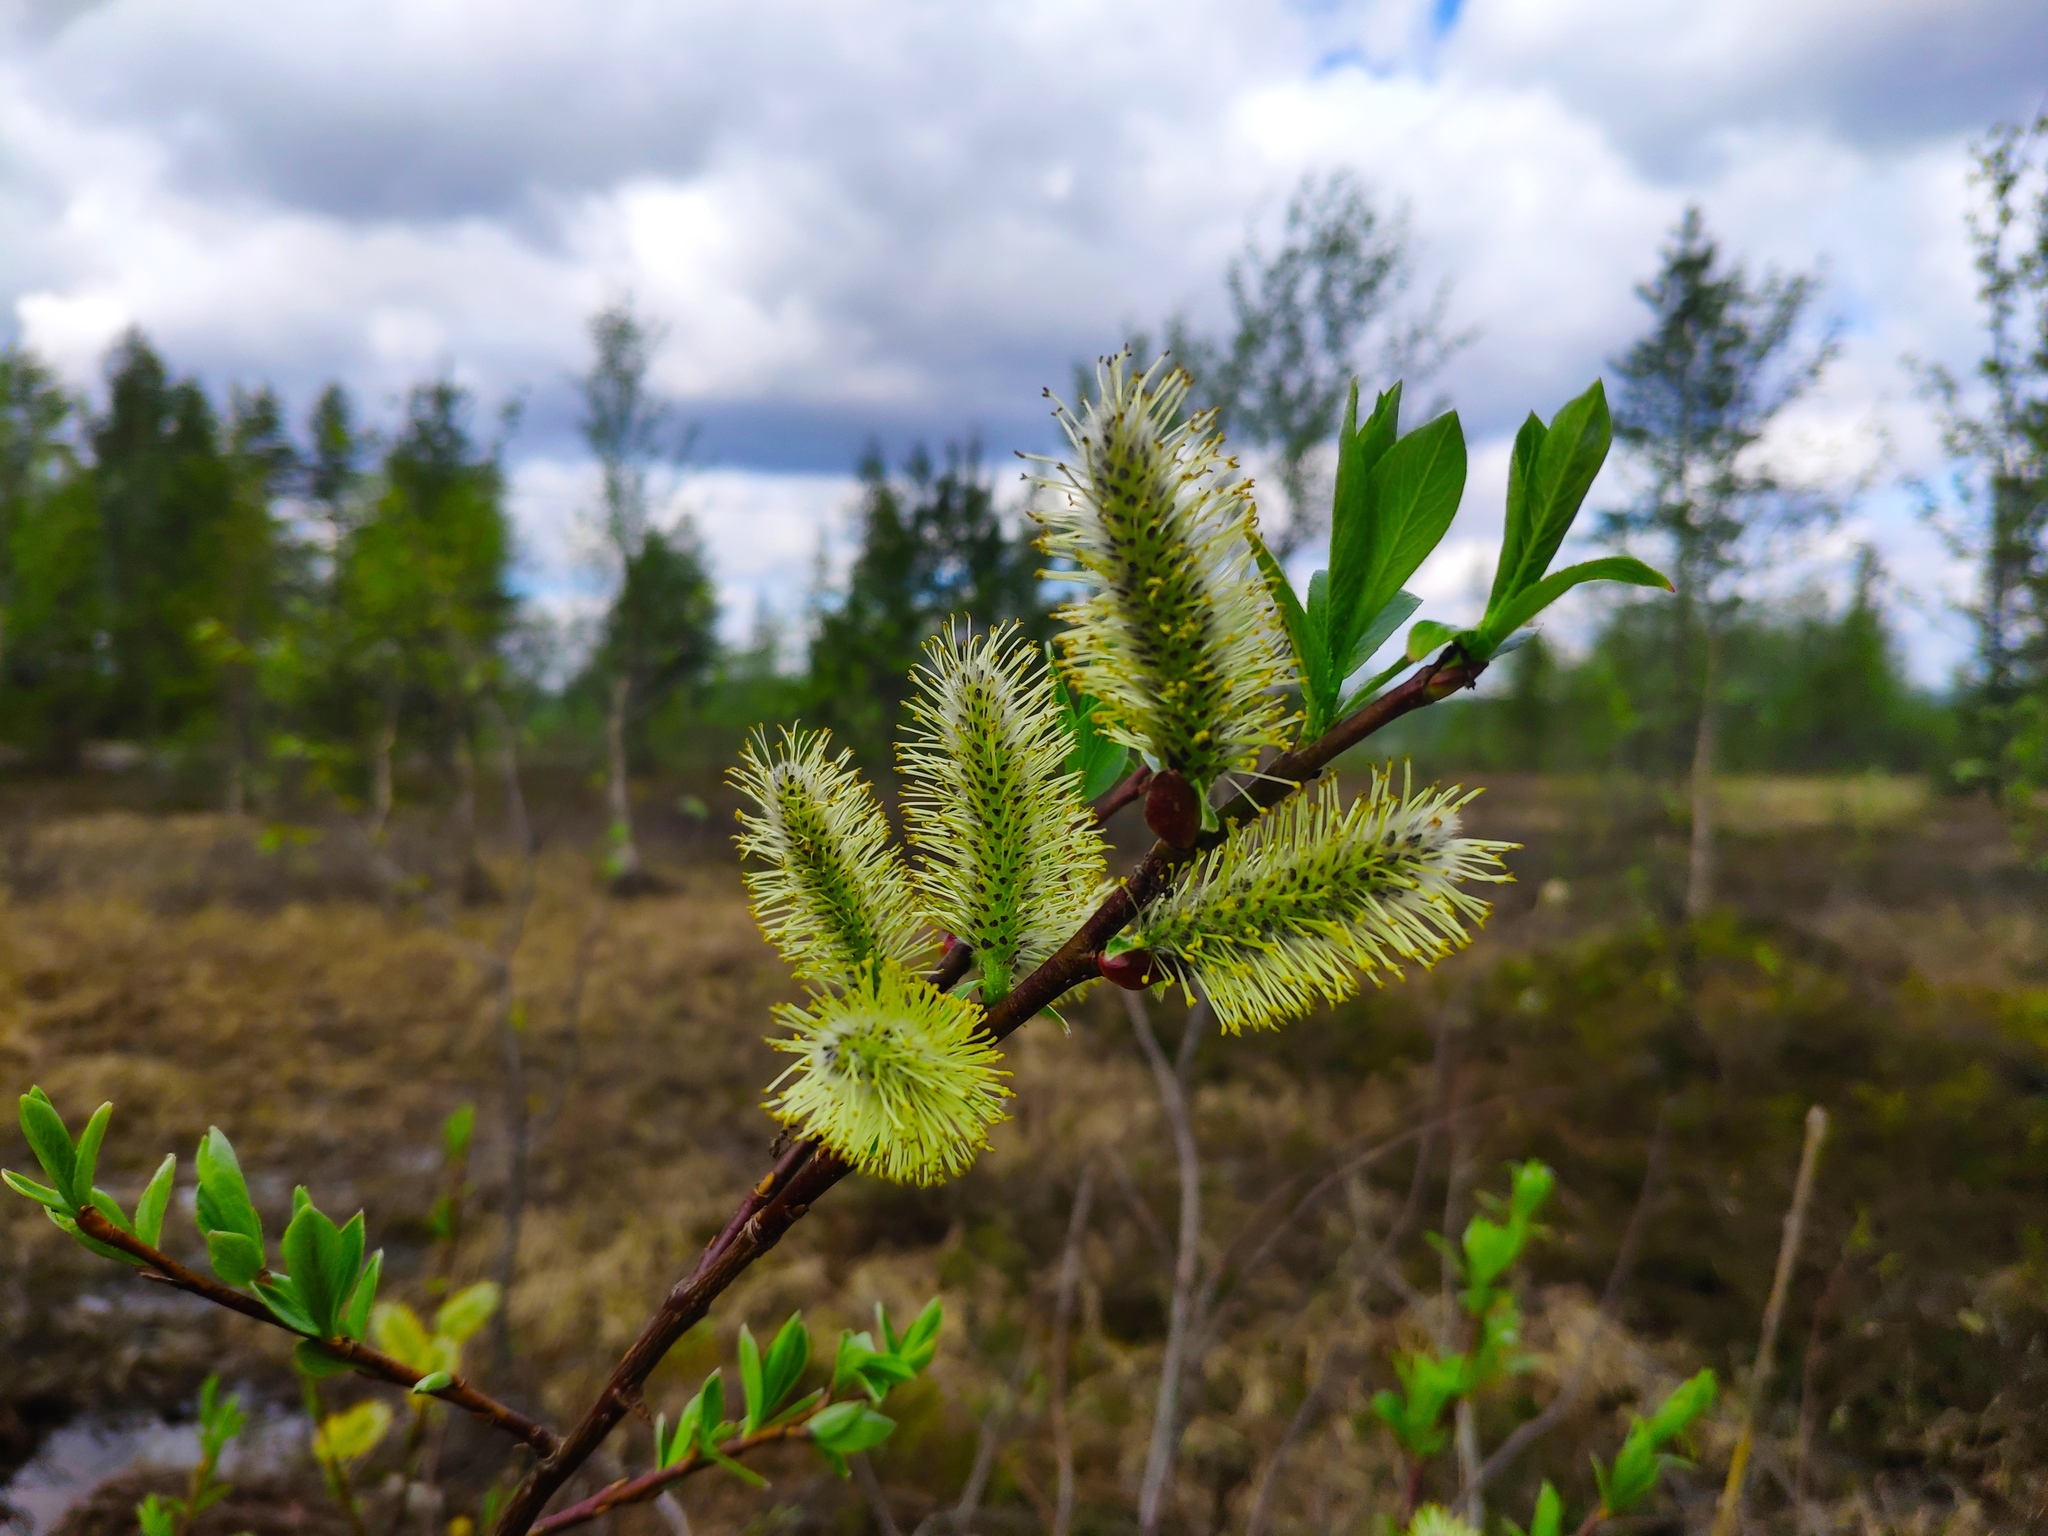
892	1074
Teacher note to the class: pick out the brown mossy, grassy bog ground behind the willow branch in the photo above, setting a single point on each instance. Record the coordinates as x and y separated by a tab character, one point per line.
1883	953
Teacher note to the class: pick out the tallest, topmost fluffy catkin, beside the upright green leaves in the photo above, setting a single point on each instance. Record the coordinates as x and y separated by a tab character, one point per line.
1175	632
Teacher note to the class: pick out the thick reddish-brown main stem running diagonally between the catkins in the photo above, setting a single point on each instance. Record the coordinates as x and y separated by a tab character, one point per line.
783	1197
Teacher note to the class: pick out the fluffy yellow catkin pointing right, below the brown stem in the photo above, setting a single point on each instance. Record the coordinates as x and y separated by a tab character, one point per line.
1304	900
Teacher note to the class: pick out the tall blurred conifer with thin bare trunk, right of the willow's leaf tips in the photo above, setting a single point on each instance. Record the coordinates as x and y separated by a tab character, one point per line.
1725	355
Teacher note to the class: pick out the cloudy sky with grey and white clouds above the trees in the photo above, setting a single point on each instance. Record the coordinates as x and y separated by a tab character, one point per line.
904	218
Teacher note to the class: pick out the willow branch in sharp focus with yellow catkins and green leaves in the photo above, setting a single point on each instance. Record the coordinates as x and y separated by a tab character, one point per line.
1187	648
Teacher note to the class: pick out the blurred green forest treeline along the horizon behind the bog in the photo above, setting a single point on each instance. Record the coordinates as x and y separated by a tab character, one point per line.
269	611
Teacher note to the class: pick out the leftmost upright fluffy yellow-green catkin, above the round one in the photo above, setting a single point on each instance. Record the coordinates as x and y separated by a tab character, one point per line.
833	890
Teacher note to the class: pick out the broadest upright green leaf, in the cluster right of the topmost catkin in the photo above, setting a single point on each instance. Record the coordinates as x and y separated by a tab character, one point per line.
1412	495
